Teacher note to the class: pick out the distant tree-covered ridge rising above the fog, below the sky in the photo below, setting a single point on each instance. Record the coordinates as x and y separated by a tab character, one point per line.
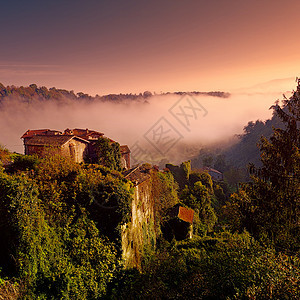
33	92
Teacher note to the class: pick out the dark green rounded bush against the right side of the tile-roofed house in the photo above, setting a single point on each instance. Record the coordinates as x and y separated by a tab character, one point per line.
108	154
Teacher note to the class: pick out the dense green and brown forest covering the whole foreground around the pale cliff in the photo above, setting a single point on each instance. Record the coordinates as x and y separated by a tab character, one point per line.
57	242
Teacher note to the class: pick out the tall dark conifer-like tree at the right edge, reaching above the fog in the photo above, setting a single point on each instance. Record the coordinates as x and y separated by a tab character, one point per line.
269	206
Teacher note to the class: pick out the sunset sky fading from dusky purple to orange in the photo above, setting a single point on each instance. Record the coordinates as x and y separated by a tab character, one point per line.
114	46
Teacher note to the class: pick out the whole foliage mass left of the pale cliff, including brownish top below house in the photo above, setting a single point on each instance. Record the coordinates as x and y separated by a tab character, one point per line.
56	248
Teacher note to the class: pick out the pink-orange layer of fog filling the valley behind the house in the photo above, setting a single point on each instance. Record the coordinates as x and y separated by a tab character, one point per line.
132	123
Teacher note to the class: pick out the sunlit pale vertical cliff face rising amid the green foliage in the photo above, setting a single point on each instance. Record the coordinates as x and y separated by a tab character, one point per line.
139	235
